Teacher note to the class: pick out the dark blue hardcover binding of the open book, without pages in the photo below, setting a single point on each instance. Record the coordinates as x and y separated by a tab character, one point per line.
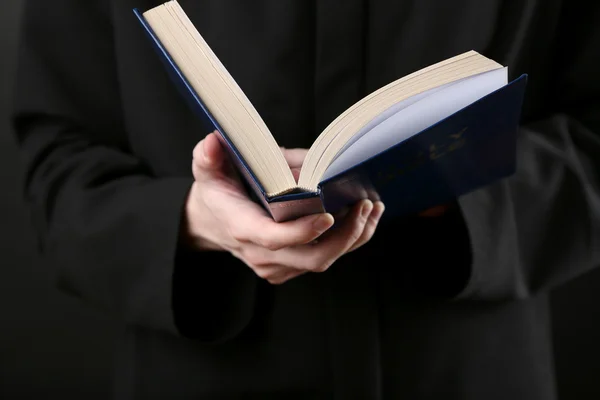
468	150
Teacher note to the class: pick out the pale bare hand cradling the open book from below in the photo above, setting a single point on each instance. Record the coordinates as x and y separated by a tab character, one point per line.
220	216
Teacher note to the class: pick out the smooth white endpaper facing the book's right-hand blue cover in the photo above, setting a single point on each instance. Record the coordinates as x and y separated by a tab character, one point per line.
416	117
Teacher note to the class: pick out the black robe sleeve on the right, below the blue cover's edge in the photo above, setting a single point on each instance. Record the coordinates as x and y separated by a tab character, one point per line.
541	227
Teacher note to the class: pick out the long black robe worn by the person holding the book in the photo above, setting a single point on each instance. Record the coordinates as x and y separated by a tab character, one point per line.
453	307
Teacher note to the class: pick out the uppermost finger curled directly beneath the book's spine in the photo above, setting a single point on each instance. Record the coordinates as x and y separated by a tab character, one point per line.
257	227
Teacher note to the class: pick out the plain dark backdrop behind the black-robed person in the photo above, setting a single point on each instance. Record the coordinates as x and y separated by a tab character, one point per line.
53	346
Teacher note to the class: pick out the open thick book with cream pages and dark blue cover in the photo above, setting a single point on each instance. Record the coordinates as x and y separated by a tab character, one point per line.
419	141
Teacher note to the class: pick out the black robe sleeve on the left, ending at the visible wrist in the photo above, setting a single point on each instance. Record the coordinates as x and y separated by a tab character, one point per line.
107	225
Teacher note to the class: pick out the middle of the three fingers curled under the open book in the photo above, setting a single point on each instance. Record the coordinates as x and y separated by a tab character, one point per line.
320	256
